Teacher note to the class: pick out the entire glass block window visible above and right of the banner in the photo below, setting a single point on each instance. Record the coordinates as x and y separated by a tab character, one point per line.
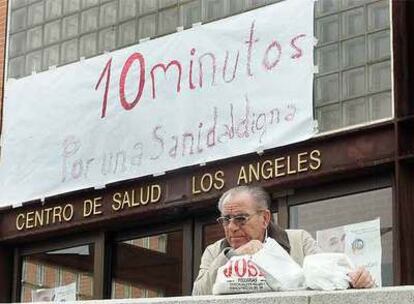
353	54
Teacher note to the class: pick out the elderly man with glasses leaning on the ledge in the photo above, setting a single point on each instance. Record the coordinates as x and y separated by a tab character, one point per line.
246	220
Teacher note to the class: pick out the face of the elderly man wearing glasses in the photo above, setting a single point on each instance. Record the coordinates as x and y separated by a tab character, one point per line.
253	229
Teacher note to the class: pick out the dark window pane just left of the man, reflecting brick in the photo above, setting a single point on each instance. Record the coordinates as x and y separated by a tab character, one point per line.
148	267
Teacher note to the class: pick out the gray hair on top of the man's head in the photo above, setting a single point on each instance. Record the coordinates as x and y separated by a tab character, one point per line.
260	196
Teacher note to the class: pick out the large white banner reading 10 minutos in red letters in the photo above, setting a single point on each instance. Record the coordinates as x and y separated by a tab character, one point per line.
223	89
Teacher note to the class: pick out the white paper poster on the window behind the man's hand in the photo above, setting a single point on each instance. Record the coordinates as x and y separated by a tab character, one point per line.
361	242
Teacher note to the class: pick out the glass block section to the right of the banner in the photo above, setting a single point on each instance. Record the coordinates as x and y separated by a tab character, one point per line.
353	85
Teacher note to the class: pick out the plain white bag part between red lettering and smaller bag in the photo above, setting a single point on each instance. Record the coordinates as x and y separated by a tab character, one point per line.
281	271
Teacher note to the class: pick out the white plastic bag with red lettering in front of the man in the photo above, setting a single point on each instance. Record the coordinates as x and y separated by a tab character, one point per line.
271	268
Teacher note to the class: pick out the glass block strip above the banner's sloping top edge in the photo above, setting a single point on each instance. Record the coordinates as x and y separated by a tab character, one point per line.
79	28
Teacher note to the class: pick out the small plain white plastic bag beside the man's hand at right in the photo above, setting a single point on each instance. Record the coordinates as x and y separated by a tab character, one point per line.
327	271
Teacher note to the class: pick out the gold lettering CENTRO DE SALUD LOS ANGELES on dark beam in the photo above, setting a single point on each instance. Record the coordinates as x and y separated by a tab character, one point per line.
112	203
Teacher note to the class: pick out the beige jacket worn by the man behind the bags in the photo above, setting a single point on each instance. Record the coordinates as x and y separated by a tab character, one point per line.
301	244
